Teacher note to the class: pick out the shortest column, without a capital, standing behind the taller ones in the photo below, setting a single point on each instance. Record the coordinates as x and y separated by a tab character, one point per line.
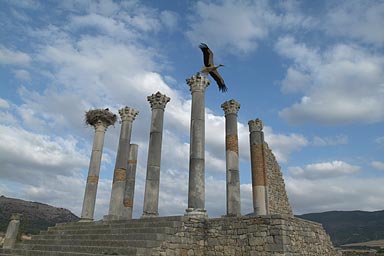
130	181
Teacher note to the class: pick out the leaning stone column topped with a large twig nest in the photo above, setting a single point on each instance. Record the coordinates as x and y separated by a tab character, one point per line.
100	119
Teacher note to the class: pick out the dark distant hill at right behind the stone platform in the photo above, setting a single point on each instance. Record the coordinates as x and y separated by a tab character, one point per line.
346	227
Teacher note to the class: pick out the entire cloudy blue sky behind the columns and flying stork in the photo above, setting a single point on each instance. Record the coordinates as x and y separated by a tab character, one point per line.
313	71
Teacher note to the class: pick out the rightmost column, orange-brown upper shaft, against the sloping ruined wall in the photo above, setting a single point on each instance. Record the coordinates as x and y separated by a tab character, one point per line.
259	175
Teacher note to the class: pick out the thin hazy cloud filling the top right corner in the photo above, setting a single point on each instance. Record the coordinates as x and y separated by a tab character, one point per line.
362	18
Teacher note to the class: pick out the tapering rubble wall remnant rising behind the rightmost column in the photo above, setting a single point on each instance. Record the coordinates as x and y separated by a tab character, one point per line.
278	202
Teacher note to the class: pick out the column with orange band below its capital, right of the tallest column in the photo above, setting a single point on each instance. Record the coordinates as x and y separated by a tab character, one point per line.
231	109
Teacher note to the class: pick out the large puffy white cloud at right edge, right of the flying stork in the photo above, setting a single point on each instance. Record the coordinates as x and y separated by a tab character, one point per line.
345	84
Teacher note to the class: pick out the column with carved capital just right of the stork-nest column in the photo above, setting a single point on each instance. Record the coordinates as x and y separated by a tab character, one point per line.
116	204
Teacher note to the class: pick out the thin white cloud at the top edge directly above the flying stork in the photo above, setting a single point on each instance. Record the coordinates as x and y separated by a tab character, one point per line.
252	18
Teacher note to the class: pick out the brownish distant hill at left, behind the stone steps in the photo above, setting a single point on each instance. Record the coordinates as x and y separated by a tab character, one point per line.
36	216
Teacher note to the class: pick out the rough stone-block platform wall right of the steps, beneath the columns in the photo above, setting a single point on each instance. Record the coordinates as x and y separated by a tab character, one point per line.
271	235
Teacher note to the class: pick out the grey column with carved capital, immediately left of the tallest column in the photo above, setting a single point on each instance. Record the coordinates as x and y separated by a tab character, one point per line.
158	102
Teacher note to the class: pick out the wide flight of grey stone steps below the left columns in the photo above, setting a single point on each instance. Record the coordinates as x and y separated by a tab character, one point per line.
129	237
